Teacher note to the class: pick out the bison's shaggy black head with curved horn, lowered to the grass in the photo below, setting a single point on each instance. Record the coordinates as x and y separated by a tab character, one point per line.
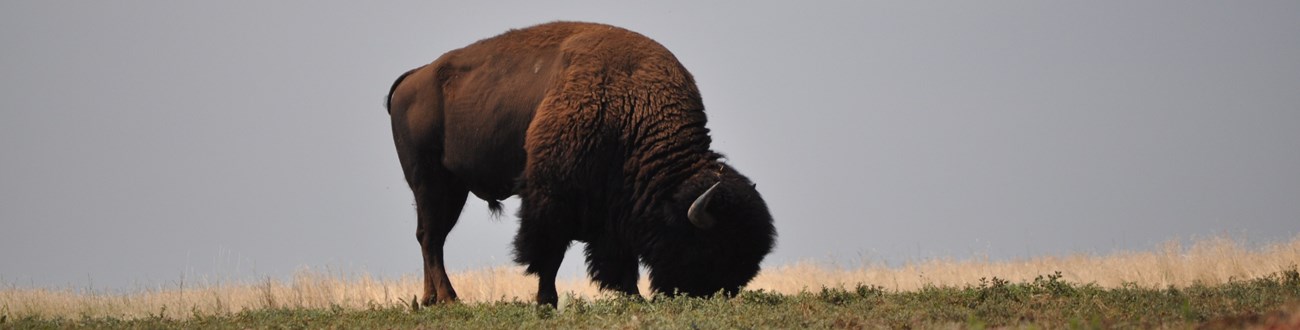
716	235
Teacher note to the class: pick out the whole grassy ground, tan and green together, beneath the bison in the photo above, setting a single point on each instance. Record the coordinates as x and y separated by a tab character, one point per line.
1212	283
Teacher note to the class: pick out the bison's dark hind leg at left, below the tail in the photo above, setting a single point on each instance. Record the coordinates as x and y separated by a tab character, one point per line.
439	205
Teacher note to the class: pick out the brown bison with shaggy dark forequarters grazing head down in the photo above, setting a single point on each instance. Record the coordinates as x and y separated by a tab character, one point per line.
601	133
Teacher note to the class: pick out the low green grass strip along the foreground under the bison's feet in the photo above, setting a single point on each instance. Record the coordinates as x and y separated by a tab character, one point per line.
1045	302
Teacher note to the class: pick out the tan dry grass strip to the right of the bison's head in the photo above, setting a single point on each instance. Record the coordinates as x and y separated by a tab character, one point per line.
1210	262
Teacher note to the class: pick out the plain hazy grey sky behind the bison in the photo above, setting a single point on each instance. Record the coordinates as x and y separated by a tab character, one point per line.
149	142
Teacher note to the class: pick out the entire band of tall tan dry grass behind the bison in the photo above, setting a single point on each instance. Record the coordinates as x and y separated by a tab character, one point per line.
1207	262
